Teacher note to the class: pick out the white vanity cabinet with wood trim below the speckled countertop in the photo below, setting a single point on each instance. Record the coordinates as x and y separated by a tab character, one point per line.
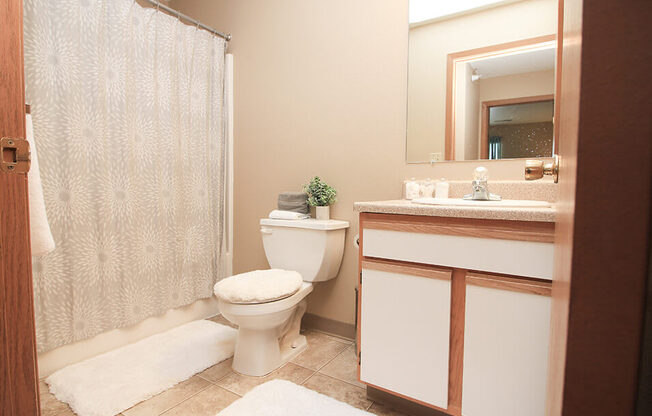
454	313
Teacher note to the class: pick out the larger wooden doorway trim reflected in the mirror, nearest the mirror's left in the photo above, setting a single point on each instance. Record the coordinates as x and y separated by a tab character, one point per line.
453	58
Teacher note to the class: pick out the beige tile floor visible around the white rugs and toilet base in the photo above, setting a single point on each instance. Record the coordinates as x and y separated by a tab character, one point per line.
327	366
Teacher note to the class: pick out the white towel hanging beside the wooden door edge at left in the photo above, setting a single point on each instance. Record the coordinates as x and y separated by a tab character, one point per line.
40	234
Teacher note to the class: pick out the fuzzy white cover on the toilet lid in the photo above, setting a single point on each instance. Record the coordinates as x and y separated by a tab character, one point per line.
258	286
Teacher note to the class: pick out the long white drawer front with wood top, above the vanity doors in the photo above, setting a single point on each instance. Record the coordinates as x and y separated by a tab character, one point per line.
514	257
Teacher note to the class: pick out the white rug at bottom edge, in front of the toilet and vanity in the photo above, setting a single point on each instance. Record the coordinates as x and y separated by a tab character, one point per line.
283	398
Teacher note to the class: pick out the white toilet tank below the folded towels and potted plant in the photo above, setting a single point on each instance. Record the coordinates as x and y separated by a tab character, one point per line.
314	248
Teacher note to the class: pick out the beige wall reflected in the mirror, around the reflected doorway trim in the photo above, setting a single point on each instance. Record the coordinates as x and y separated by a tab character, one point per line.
430	45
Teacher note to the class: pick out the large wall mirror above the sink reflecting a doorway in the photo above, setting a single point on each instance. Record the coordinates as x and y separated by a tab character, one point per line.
481	80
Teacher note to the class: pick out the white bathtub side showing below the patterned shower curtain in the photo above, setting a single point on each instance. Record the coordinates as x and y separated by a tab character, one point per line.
51	361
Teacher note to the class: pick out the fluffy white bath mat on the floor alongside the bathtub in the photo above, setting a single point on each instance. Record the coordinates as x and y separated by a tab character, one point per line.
112	382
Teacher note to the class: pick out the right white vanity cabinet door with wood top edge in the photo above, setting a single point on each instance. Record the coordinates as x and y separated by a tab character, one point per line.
506	337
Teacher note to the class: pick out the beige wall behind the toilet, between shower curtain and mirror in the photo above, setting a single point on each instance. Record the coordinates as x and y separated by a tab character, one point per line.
320	89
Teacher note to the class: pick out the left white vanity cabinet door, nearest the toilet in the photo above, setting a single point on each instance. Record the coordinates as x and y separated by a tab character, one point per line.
404	331
